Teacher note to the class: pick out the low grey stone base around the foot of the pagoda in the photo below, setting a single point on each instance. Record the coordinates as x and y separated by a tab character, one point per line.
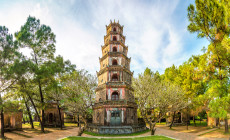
116	129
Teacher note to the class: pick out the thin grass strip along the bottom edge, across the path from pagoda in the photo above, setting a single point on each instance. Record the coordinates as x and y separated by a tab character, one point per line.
137	138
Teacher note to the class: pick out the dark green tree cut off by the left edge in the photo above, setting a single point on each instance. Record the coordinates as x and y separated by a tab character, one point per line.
8	54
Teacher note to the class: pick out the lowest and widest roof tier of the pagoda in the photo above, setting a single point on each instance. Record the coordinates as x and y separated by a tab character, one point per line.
115	104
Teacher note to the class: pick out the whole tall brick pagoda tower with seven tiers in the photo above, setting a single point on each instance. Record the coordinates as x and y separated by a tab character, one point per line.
115	104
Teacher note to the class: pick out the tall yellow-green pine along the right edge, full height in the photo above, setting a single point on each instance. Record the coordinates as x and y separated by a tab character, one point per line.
210	19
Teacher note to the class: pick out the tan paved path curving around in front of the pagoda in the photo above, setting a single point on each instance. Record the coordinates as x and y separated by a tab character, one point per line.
73	131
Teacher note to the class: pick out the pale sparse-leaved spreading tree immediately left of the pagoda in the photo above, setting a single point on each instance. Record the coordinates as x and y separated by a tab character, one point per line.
79	90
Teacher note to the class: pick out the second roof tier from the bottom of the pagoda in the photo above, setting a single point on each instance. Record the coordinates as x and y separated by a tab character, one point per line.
114	84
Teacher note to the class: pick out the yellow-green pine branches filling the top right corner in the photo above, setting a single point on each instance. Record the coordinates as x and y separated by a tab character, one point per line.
209	18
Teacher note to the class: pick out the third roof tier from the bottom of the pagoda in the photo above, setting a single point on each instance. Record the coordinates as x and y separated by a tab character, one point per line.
114	68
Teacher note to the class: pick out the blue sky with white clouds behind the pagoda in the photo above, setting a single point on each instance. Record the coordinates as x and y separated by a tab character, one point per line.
156	30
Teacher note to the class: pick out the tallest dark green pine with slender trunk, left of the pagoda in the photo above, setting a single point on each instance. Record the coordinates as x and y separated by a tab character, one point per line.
41	41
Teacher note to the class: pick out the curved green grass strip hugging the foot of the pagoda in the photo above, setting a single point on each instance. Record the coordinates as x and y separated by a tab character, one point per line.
107	135
